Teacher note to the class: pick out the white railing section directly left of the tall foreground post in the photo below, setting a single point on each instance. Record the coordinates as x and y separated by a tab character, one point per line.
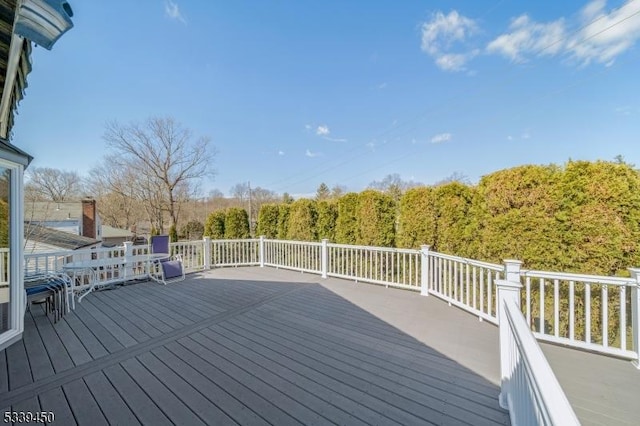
466	283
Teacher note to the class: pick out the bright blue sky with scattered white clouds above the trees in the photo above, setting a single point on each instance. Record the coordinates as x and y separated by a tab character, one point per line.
295	93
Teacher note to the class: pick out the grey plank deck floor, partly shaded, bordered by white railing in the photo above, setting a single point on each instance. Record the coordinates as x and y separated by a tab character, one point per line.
264	346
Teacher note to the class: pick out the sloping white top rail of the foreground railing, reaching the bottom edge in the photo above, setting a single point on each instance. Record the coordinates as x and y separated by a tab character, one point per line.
555	404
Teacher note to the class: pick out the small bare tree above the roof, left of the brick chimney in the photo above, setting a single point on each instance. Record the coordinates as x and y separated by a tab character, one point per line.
51	184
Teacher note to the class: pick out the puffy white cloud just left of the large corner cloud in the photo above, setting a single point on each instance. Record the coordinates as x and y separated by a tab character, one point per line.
441	33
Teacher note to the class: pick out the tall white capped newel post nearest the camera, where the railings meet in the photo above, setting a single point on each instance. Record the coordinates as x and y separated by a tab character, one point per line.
509	288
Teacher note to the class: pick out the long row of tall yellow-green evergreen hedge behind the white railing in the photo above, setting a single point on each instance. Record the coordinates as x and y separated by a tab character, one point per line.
580	217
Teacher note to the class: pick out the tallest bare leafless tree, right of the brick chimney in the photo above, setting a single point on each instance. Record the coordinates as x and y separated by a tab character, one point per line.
167	160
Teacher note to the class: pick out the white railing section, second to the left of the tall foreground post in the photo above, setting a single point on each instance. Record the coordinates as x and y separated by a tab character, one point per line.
390	267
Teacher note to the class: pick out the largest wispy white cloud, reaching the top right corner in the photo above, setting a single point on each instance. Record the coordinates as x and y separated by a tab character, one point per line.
601	35
